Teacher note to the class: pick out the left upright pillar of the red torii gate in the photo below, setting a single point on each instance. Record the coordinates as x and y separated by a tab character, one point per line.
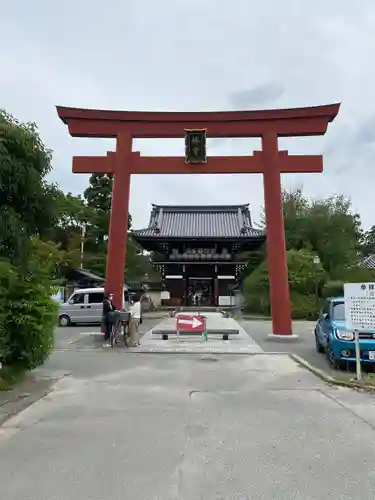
118	227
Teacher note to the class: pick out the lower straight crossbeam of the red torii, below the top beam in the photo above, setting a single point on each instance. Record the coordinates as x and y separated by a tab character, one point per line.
216	165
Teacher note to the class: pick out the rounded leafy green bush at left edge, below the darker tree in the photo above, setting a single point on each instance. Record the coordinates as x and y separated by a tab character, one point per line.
27	317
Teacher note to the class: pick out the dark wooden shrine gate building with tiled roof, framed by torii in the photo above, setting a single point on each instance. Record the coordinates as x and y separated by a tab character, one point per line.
200	251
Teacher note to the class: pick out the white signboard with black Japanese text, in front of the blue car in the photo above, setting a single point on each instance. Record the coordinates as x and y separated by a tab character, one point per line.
359	306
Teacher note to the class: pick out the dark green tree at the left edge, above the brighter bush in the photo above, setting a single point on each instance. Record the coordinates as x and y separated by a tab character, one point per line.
28	203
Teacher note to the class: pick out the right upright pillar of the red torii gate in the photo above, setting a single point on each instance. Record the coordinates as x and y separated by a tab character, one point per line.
276	251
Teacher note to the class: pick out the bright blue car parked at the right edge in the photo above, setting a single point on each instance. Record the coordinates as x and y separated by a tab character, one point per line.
336	341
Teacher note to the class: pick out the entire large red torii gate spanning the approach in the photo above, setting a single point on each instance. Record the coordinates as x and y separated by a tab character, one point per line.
268	124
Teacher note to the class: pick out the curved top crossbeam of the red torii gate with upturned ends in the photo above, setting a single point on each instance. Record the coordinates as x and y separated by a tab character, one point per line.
285	122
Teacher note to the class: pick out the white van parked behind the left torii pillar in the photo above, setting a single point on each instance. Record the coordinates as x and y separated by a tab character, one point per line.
85	305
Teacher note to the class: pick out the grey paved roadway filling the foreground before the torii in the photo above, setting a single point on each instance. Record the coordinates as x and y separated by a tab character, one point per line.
185	427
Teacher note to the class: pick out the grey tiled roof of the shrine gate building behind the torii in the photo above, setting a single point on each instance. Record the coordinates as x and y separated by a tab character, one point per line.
210	221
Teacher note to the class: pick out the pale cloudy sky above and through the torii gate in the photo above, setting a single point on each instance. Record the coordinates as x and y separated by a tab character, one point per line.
198	55
